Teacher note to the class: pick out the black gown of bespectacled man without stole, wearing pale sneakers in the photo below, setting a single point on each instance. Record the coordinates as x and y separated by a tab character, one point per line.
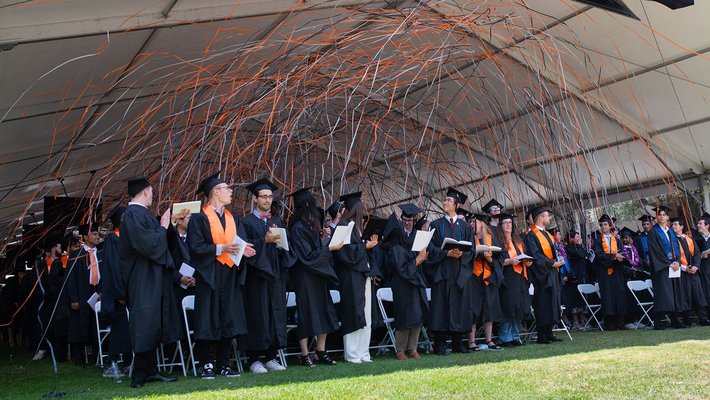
265	287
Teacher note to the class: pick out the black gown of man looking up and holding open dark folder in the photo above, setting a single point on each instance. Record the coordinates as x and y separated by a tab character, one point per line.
451	279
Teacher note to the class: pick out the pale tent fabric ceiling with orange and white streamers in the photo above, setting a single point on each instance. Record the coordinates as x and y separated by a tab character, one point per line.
542	100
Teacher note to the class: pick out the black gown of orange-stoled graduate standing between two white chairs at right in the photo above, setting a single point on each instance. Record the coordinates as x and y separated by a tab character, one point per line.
611	287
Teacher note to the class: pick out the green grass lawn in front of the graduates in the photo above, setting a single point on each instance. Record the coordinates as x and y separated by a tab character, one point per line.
673	364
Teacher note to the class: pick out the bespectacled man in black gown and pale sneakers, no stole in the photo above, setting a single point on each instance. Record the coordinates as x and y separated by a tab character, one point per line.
265	284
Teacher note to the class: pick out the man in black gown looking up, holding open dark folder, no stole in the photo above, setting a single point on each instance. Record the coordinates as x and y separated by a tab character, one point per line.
450	278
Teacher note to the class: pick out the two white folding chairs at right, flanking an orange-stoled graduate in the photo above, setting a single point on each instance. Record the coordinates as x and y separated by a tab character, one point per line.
592	300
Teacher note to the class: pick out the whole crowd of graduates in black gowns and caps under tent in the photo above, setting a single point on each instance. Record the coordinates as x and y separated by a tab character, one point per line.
239	288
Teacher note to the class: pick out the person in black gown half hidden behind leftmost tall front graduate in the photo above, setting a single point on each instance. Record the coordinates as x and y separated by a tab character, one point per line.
113	308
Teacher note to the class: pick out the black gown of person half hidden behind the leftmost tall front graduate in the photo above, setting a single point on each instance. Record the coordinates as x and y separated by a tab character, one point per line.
111	287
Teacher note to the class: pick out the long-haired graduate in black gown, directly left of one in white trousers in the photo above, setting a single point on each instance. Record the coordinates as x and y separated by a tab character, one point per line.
312	276
